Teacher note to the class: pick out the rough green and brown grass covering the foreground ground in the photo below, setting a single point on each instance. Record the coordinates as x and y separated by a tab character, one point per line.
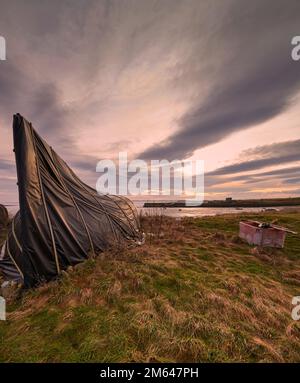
193	293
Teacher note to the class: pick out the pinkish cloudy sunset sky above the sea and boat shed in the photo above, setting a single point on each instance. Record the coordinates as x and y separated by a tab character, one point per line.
168	79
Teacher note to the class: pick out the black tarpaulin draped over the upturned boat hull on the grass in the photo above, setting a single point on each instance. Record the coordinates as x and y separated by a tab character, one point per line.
61	220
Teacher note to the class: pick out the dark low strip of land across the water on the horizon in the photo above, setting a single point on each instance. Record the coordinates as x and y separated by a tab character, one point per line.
272	202
